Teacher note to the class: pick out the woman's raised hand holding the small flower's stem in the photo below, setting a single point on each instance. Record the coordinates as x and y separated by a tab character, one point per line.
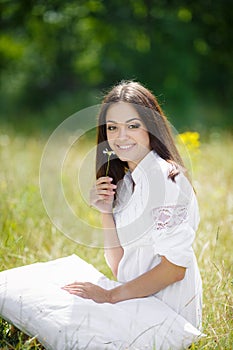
102	194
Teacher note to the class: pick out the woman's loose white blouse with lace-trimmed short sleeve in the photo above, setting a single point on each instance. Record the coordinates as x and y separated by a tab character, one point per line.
156	217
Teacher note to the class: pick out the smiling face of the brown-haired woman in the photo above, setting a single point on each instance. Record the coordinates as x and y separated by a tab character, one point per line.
126	133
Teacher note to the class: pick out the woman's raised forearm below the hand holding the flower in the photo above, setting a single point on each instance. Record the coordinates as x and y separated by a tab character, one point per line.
113	249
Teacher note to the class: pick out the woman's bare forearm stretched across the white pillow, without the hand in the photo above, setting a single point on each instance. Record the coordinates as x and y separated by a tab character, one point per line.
149	283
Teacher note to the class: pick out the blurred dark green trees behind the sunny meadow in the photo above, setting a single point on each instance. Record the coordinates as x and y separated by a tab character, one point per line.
57	57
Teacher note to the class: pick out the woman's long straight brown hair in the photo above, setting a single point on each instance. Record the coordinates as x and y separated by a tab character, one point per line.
146	104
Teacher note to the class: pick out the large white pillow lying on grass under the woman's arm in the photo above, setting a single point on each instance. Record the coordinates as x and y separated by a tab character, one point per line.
31	298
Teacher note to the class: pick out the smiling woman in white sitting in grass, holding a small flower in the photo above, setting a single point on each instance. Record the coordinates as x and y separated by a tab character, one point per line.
148	207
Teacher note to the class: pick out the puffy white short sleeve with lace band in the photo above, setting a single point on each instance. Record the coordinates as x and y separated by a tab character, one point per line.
174	224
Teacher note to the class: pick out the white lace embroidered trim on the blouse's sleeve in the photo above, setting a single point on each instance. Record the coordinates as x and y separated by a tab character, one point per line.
169	216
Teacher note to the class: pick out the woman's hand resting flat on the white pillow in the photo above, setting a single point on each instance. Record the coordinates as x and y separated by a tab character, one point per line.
88	290
